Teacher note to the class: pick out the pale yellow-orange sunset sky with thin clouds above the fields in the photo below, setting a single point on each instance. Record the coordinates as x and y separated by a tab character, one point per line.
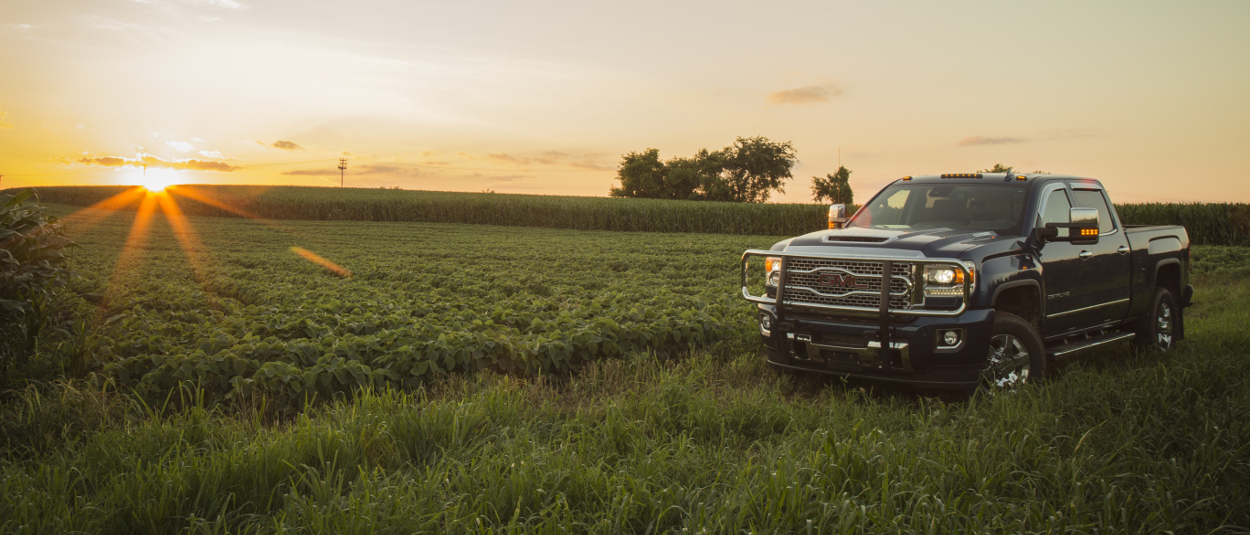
547	97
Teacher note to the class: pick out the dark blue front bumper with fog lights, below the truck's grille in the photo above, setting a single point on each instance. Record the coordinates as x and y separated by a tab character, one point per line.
852	347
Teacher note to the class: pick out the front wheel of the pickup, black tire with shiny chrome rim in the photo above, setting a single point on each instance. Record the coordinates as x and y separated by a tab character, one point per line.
1017	354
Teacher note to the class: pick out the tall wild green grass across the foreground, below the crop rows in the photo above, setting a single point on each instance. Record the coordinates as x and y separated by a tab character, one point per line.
709	443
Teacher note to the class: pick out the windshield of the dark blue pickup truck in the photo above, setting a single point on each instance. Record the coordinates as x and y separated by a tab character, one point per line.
998	208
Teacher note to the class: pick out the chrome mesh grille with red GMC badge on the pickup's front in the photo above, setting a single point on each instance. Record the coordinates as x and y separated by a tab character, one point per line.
806	287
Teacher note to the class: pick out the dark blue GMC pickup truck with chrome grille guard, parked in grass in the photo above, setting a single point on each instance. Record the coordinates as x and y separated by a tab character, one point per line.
991	278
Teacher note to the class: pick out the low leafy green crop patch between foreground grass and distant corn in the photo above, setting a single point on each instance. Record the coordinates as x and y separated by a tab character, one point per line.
241	314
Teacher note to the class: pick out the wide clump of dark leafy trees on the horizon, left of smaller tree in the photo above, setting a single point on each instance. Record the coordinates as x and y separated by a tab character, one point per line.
747	172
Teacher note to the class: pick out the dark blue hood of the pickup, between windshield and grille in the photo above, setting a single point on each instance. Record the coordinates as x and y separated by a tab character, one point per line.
928	243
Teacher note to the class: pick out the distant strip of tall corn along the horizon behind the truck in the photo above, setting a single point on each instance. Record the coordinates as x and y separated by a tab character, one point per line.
1208	224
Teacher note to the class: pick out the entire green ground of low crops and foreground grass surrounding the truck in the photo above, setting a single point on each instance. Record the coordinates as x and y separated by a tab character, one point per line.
574	382
